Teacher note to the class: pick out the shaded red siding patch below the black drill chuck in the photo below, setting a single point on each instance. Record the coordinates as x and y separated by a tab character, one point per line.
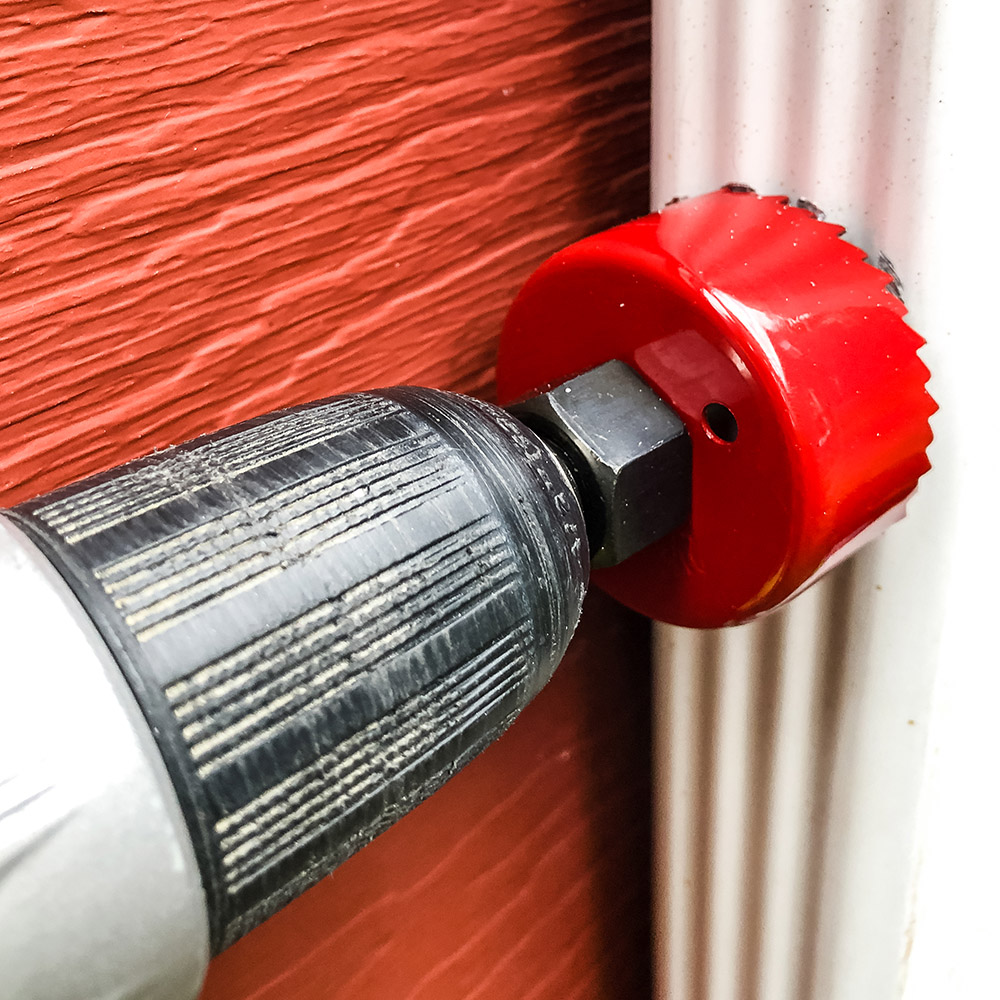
524	877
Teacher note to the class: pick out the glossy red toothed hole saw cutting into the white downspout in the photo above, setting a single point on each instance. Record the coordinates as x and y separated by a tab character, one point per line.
791	365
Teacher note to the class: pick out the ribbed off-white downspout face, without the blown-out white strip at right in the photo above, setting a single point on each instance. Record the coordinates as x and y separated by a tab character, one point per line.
790	752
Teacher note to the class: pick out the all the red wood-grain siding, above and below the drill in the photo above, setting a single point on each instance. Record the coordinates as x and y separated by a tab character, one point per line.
212	209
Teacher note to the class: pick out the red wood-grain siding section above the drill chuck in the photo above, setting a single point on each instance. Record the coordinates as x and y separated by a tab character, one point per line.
213	210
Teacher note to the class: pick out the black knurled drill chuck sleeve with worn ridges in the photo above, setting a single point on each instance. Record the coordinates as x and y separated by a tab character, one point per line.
323	614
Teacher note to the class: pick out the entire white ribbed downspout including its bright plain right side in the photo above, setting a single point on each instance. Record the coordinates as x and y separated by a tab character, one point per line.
826	819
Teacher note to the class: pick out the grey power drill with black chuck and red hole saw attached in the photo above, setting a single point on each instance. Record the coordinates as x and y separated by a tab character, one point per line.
231	664
